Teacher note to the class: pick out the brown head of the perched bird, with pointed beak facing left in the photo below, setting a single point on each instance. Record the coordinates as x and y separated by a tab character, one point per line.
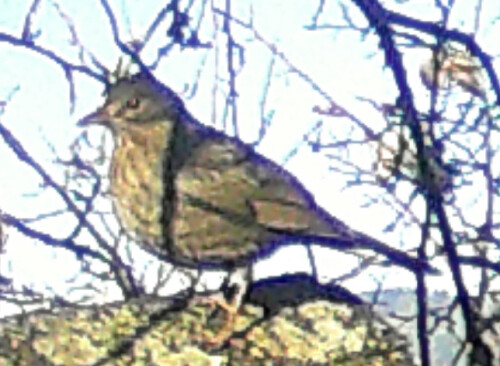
136	101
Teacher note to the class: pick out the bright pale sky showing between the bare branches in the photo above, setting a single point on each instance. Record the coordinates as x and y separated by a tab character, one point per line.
344	65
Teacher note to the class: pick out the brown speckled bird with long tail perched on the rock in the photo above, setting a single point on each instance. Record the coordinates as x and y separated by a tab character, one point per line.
190	194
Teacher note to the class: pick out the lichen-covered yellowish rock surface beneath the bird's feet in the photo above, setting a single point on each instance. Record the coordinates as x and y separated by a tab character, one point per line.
316	333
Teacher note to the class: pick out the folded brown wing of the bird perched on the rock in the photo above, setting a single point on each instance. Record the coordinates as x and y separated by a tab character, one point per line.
259	188
